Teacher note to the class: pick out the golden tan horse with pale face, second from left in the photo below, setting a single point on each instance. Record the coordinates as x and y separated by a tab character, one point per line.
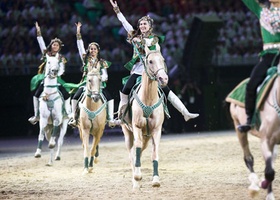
92	118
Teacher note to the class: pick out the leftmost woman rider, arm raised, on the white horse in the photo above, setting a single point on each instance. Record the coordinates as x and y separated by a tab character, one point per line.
37	84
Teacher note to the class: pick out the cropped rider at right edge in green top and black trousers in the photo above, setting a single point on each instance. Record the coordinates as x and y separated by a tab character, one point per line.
268	12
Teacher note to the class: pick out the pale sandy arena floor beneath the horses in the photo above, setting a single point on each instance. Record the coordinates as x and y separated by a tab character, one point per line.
192	166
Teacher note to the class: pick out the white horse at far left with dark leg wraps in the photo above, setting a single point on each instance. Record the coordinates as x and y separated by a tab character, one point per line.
52	123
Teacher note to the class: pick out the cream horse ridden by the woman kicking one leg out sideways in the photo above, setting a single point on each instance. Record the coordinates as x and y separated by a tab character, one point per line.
147	116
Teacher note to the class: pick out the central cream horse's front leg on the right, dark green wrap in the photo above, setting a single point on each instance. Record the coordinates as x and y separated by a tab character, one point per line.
155	157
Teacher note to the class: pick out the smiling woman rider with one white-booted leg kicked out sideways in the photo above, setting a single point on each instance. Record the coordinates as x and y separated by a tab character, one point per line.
143	36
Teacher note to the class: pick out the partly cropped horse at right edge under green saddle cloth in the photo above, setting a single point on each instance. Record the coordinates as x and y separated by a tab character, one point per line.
268	131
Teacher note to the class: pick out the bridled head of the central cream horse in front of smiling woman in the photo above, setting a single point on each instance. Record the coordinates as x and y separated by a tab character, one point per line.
155	66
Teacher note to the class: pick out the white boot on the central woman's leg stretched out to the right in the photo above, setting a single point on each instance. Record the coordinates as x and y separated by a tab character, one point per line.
178	104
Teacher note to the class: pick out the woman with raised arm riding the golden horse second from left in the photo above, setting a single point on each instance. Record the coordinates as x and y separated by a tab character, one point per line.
91	58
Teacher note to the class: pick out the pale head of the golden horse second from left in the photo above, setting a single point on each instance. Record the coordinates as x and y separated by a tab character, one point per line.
93	84
